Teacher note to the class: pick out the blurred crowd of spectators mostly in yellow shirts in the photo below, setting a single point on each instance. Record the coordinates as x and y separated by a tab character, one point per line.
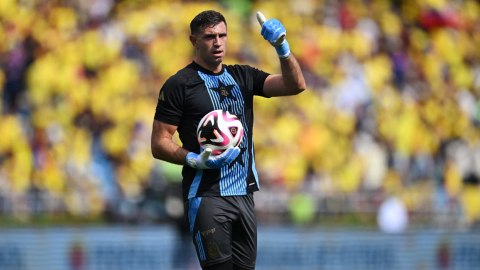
392	107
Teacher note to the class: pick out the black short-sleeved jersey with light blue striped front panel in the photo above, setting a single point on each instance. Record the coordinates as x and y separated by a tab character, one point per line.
192	93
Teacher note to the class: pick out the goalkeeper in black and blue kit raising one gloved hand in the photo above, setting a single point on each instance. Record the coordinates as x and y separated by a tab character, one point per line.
218	190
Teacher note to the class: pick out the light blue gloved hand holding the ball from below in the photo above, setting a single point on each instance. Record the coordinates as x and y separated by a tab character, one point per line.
207	161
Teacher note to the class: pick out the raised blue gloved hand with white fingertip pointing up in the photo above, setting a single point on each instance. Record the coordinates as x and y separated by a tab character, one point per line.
274	32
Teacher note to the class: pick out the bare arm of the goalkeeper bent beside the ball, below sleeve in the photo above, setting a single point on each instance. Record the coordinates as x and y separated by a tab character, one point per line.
162	144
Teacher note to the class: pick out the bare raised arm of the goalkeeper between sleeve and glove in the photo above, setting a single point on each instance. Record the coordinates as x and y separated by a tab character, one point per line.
290	82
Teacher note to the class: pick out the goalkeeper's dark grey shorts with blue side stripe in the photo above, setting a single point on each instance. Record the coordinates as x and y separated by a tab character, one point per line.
223	228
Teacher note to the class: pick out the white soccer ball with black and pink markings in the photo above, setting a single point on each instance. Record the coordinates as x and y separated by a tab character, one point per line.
218	130
